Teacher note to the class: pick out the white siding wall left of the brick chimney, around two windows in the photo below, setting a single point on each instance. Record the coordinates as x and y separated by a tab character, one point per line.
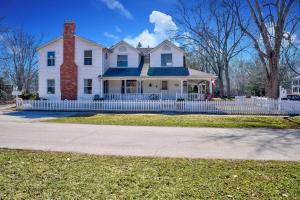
50	72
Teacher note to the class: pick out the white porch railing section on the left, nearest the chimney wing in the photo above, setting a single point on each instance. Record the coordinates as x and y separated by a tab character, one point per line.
134	96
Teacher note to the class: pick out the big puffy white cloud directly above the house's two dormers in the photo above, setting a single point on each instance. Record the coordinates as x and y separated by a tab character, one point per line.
164	28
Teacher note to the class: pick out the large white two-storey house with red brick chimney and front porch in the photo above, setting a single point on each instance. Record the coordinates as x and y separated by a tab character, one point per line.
71	67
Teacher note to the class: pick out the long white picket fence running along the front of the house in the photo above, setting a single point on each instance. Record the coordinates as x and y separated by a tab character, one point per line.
254	107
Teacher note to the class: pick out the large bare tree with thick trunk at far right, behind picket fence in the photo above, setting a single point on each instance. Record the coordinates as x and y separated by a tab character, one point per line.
270	23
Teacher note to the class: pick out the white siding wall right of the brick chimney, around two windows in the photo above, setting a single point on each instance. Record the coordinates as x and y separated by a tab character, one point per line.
88	71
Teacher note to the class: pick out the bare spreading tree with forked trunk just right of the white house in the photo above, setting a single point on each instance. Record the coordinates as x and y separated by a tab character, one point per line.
213	31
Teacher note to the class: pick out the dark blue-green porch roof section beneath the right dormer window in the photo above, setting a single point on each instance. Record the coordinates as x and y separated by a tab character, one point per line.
168	71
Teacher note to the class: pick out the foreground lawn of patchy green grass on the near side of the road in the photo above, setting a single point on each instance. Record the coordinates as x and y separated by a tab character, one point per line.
49	175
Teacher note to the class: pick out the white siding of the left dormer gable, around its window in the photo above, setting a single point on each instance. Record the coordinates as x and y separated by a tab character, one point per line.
133	56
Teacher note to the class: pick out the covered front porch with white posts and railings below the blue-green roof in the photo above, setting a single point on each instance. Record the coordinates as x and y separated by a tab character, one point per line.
156	89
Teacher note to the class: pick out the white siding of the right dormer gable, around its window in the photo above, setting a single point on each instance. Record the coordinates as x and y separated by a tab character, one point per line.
177	56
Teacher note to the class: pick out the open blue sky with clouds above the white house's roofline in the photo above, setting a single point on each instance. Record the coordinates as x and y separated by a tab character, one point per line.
103	21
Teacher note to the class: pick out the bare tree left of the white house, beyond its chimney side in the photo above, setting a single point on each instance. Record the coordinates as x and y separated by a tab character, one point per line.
19	50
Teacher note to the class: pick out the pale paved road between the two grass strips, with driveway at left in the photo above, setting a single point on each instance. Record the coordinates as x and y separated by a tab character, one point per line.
22	130
